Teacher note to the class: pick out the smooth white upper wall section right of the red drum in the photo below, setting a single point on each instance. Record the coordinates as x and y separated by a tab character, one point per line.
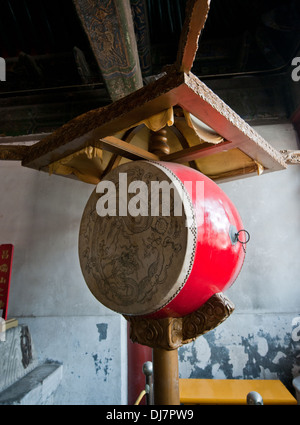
270	209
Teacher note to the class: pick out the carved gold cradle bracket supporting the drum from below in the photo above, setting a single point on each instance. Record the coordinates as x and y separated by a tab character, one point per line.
173	332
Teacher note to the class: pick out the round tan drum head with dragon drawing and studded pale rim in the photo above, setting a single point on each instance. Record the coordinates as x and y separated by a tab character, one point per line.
135	264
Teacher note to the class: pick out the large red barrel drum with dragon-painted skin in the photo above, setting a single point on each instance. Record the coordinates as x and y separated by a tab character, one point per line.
159	239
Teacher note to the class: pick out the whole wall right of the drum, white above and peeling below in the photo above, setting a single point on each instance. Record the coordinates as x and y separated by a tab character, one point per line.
260	339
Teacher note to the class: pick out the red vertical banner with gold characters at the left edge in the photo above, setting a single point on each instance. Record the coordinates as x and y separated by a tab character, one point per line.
6	255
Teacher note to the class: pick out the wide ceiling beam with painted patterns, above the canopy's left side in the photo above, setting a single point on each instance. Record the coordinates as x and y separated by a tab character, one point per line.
109	27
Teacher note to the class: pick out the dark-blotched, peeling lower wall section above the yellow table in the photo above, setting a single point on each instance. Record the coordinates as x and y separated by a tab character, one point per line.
246	346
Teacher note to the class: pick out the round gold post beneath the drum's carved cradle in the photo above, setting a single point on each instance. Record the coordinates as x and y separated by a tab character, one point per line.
166	377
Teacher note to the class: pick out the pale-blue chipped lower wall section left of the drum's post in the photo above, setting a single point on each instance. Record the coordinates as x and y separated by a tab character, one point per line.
93	352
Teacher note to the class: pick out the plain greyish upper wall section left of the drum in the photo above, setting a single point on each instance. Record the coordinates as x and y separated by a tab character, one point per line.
40	215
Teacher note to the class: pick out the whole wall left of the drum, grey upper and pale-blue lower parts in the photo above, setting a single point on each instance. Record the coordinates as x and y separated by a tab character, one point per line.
41	215
